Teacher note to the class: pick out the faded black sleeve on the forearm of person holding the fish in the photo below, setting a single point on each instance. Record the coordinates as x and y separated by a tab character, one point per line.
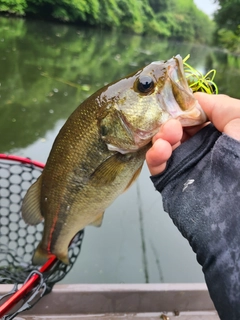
201	193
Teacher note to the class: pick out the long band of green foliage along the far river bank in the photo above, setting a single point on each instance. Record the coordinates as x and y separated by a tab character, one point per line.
178	19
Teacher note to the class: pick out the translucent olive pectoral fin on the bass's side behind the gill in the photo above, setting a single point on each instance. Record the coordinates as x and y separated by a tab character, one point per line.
107	171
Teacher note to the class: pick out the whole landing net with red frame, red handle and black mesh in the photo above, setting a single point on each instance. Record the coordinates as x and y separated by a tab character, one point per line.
18	240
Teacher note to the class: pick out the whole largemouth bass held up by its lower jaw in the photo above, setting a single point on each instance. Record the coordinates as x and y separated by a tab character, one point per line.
100	150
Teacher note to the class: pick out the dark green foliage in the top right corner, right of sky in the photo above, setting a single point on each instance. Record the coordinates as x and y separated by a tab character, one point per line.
228	25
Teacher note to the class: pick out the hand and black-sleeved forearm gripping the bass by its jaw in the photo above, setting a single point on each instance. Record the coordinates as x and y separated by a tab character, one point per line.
200	192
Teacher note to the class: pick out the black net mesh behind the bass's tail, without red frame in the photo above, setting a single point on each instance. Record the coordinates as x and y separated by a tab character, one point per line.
17	239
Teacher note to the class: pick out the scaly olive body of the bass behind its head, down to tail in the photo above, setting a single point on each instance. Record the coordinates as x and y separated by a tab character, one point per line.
81	179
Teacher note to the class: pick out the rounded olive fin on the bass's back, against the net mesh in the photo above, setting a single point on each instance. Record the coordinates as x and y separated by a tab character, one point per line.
31	212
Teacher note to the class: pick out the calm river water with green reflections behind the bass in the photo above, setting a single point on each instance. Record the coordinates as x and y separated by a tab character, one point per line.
46	70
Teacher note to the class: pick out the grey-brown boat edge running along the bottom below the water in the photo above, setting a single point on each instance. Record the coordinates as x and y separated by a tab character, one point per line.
123	301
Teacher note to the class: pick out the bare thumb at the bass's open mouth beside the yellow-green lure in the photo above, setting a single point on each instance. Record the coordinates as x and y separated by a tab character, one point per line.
223	111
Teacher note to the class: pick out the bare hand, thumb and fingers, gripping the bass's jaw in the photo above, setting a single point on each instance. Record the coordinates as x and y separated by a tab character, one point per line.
223	111
